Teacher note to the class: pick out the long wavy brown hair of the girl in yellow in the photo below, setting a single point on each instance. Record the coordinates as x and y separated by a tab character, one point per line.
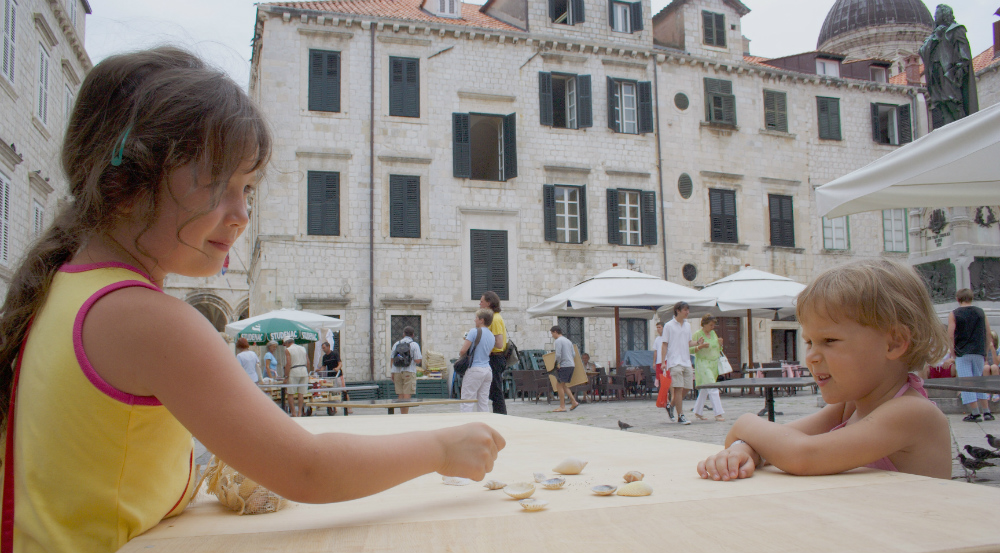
154	111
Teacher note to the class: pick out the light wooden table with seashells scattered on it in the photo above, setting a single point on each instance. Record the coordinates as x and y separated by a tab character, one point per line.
862	511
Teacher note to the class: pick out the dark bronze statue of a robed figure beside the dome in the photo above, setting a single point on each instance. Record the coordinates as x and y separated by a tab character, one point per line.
948	69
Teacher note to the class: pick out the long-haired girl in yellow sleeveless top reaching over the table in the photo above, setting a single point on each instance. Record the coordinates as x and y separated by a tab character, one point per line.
112	375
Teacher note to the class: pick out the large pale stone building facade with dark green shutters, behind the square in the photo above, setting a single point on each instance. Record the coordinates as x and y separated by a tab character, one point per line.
466	148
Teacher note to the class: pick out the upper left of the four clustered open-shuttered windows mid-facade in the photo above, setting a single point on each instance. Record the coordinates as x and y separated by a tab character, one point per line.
565	100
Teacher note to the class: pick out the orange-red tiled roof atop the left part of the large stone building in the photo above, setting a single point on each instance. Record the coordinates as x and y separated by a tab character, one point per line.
401	9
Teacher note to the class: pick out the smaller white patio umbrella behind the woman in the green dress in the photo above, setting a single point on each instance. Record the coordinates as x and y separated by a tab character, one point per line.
749	289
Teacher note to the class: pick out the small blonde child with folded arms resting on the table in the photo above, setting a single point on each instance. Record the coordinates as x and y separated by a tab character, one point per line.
867	326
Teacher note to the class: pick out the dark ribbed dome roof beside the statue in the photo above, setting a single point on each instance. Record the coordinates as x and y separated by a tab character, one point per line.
851	15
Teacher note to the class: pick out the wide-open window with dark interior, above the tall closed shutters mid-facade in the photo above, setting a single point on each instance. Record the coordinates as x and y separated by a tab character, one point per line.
484	147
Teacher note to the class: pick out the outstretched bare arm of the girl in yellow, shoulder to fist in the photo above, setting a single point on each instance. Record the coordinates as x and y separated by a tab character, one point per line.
203	385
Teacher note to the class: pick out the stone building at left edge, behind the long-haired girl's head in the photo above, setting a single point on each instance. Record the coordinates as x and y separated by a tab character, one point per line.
43	64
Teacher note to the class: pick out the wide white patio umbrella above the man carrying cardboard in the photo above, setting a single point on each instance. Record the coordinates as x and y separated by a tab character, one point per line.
616	292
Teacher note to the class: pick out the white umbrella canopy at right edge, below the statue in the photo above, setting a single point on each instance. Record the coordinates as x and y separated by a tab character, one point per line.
957	165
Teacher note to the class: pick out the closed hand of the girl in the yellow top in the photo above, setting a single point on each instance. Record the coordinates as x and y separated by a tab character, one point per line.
469	450
